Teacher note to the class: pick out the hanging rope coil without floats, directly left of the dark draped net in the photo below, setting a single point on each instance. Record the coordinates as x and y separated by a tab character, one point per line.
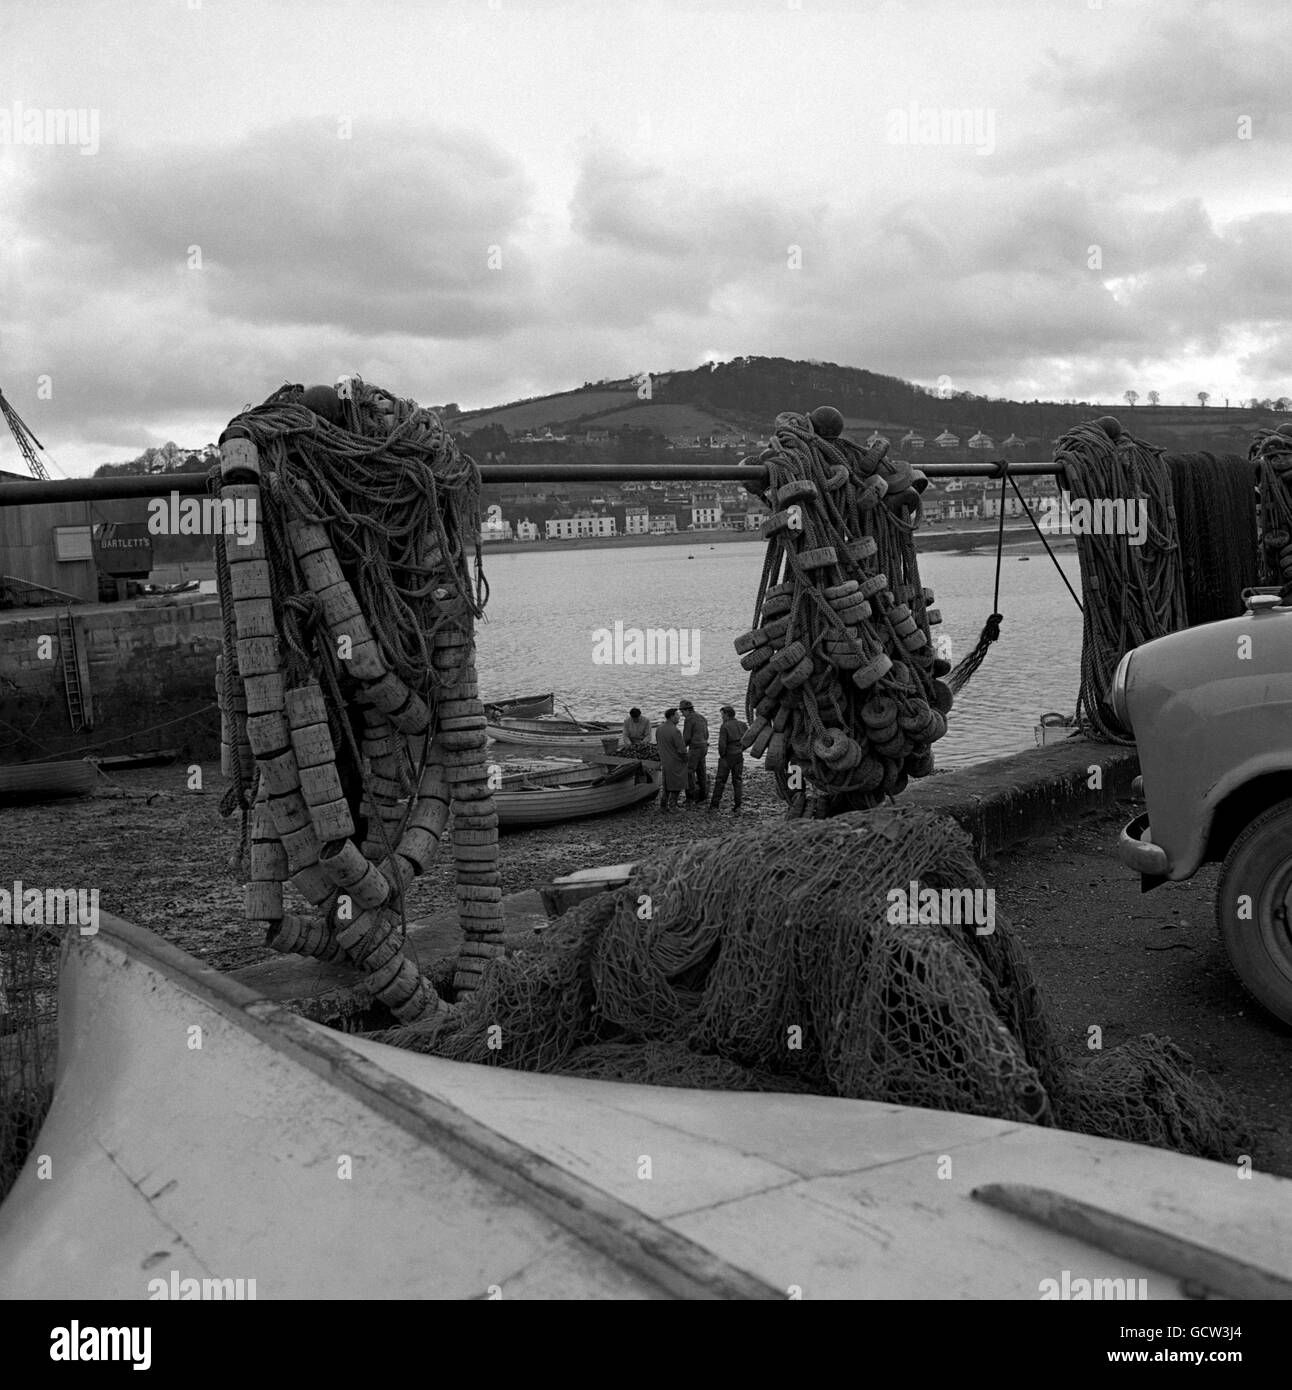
1133	593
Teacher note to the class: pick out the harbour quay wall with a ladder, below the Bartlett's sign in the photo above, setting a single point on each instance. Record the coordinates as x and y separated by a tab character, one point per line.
141	665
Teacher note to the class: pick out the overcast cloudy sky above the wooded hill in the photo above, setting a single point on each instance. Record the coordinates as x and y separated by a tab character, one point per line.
492	199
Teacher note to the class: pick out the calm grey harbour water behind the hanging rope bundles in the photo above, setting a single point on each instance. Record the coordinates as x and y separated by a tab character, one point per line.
546	605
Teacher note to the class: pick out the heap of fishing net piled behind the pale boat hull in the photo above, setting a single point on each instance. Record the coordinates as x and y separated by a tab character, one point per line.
791	960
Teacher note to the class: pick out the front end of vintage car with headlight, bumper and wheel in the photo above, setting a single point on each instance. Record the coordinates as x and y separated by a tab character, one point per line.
1211	710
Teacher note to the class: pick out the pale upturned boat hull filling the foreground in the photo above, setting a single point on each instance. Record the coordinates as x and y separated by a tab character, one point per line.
219	1161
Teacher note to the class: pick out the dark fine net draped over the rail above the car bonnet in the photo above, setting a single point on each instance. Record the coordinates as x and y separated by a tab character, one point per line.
1216	519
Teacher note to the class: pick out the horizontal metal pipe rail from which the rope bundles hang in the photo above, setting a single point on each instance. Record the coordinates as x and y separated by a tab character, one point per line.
194	484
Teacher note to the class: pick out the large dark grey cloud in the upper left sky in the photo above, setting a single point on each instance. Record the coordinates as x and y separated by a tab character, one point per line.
390	230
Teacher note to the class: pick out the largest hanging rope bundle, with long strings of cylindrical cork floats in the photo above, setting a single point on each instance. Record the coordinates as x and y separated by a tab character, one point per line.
353	722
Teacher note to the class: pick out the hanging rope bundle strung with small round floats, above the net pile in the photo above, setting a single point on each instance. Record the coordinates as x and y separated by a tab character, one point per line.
845	696
